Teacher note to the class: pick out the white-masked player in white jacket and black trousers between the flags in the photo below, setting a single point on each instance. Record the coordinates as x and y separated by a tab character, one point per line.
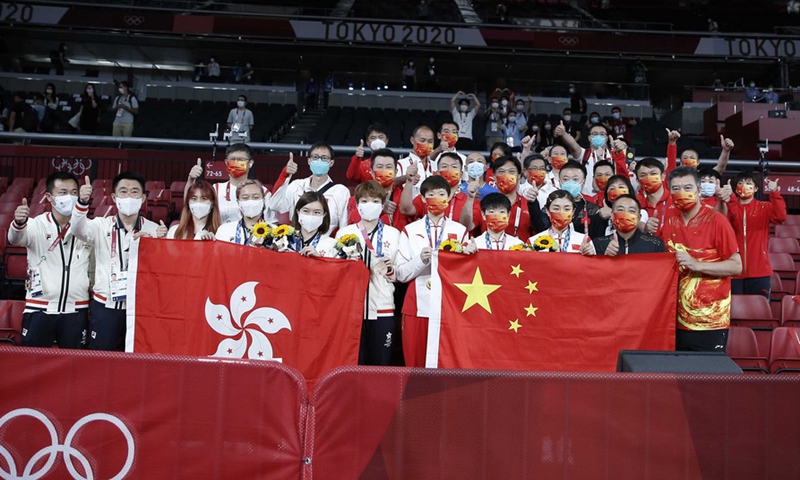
378	244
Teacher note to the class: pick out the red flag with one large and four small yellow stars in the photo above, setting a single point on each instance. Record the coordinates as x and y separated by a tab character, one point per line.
549	311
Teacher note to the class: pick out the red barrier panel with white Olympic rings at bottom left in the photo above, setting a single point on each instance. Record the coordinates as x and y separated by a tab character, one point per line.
101	415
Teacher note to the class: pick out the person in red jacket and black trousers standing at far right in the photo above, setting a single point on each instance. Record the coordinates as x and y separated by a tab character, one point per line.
750	219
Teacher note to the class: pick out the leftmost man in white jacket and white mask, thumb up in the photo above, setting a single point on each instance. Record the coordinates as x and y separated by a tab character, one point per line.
57	288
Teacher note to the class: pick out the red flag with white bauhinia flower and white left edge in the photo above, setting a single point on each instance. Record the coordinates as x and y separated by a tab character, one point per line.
219	299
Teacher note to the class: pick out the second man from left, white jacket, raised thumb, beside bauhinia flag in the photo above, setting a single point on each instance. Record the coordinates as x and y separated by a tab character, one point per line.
111	238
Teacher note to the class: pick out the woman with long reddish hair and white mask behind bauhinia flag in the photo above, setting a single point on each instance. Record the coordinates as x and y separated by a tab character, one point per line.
200	215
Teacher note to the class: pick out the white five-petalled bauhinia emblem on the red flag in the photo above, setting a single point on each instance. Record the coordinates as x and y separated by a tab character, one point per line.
257	325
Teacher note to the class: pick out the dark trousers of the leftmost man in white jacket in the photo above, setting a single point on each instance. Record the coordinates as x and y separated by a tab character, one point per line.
40	329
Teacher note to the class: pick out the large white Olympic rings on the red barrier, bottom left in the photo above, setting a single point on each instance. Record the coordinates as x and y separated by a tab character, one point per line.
66	448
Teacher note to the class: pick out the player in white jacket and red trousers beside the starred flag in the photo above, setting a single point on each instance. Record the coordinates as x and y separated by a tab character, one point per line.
417	243
